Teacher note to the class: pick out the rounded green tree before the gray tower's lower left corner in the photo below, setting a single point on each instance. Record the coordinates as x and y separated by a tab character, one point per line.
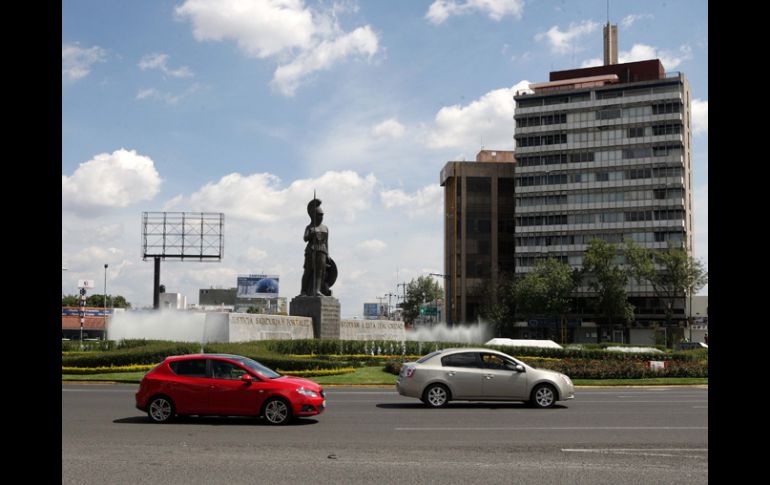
547	290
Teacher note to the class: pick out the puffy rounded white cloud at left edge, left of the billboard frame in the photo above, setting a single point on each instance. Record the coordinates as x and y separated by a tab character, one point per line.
110	181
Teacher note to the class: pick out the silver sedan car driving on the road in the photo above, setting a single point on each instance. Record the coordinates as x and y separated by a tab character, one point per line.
470	374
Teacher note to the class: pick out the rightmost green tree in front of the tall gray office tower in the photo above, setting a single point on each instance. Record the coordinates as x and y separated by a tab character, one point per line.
671	273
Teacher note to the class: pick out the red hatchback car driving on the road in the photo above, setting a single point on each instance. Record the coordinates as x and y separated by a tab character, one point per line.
225	385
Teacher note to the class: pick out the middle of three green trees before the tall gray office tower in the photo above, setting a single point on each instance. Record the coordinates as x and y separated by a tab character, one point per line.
608	280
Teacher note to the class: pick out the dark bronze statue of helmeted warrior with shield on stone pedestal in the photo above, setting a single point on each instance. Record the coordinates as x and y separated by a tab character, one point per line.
320	270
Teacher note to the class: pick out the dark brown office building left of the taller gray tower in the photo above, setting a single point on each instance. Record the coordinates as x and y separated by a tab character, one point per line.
478	230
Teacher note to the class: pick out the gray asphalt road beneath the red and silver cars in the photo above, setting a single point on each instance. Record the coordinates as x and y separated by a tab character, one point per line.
373	435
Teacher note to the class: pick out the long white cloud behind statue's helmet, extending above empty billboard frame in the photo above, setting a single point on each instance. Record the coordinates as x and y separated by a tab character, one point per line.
261	198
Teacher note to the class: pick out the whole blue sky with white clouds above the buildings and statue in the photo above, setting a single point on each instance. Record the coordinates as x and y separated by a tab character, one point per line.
245	107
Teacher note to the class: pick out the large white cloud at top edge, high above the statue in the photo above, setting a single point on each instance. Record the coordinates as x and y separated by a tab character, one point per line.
302	40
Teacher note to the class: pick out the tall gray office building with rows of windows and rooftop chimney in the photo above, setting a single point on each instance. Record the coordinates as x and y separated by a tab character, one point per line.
604	152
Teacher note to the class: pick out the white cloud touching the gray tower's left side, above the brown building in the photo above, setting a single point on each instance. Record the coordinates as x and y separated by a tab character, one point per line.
486	121
